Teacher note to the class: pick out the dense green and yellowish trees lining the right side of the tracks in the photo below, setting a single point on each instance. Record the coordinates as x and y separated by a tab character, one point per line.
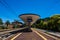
50	23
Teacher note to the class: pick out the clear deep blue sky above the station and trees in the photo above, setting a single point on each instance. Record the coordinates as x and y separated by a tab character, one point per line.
10	9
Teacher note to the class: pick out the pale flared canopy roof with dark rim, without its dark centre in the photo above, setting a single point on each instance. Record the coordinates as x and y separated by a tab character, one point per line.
34	17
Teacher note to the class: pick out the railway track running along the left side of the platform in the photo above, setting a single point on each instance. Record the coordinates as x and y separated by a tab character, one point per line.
4	35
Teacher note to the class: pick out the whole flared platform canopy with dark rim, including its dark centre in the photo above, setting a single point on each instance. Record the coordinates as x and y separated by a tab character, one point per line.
29	18
